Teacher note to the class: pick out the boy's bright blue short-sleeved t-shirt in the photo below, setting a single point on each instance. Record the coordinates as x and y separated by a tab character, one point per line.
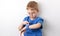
33	32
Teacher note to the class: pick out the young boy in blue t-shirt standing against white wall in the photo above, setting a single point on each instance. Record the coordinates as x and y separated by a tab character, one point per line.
32	24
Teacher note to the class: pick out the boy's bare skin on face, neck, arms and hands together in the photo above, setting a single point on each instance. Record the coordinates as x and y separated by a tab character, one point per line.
33	14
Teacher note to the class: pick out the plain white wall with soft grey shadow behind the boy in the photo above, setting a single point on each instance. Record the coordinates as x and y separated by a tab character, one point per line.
13	11
